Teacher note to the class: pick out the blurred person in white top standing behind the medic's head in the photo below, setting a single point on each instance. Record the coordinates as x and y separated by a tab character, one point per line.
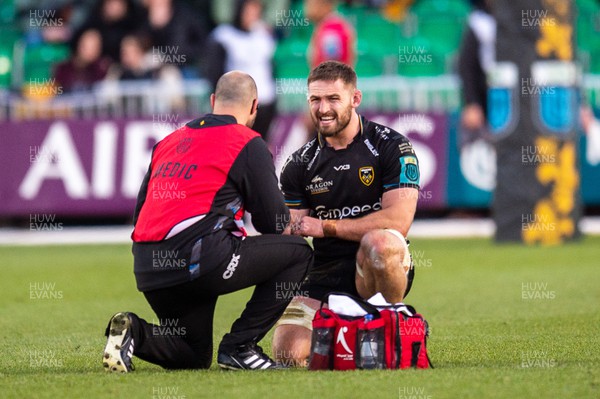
246	45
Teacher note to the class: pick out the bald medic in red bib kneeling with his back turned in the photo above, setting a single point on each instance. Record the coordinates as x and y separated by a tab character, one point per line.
190	246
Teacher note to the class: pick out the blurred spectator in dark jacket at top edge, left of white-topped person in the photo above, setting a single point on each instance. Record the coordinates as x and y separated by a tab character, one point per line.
177	32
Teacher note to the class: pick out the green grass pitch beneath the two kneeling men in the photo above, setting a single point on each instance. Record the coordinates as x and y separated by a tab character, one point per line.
489	340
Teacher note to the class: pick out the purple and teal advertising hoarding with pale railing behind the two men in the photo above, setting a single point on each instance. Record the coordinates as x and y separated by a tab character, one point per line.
90	160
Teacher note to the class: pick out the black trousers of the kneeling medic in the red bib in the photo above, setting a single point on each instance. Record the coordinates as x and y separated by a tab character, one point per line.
183	336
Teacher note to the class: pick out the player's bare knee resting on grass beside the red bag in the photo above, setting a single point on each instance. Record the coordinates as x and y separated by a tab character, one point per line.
291	345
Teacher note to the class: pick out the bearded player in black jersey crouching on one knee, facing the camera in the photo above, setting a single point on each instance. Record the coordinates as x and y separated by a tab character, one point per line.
354	189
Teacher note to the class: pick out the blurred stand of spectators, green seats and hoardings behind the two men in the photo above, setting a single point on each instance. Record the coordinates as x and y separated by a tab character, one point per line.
88	87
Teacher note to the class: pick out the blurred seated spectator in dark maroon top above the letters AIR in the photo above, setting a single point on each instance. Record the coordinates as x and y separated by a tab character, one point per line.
85	67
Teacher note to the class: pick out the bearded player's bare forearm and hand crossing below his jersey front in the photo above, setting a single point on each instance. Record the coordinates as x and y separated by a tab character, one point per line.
398	210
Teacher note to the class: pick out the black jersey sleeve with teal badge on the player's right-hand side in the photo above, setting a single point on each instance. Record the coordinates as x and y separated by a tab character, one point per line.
400	164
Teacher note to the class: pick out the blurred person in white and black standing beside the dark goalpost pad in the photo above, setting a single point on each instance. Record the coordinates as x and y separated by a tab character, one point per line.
477	55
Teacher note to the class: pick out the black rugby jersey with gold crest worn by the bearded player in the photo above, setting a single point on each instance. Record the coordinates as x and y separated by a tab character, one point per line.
348	183
